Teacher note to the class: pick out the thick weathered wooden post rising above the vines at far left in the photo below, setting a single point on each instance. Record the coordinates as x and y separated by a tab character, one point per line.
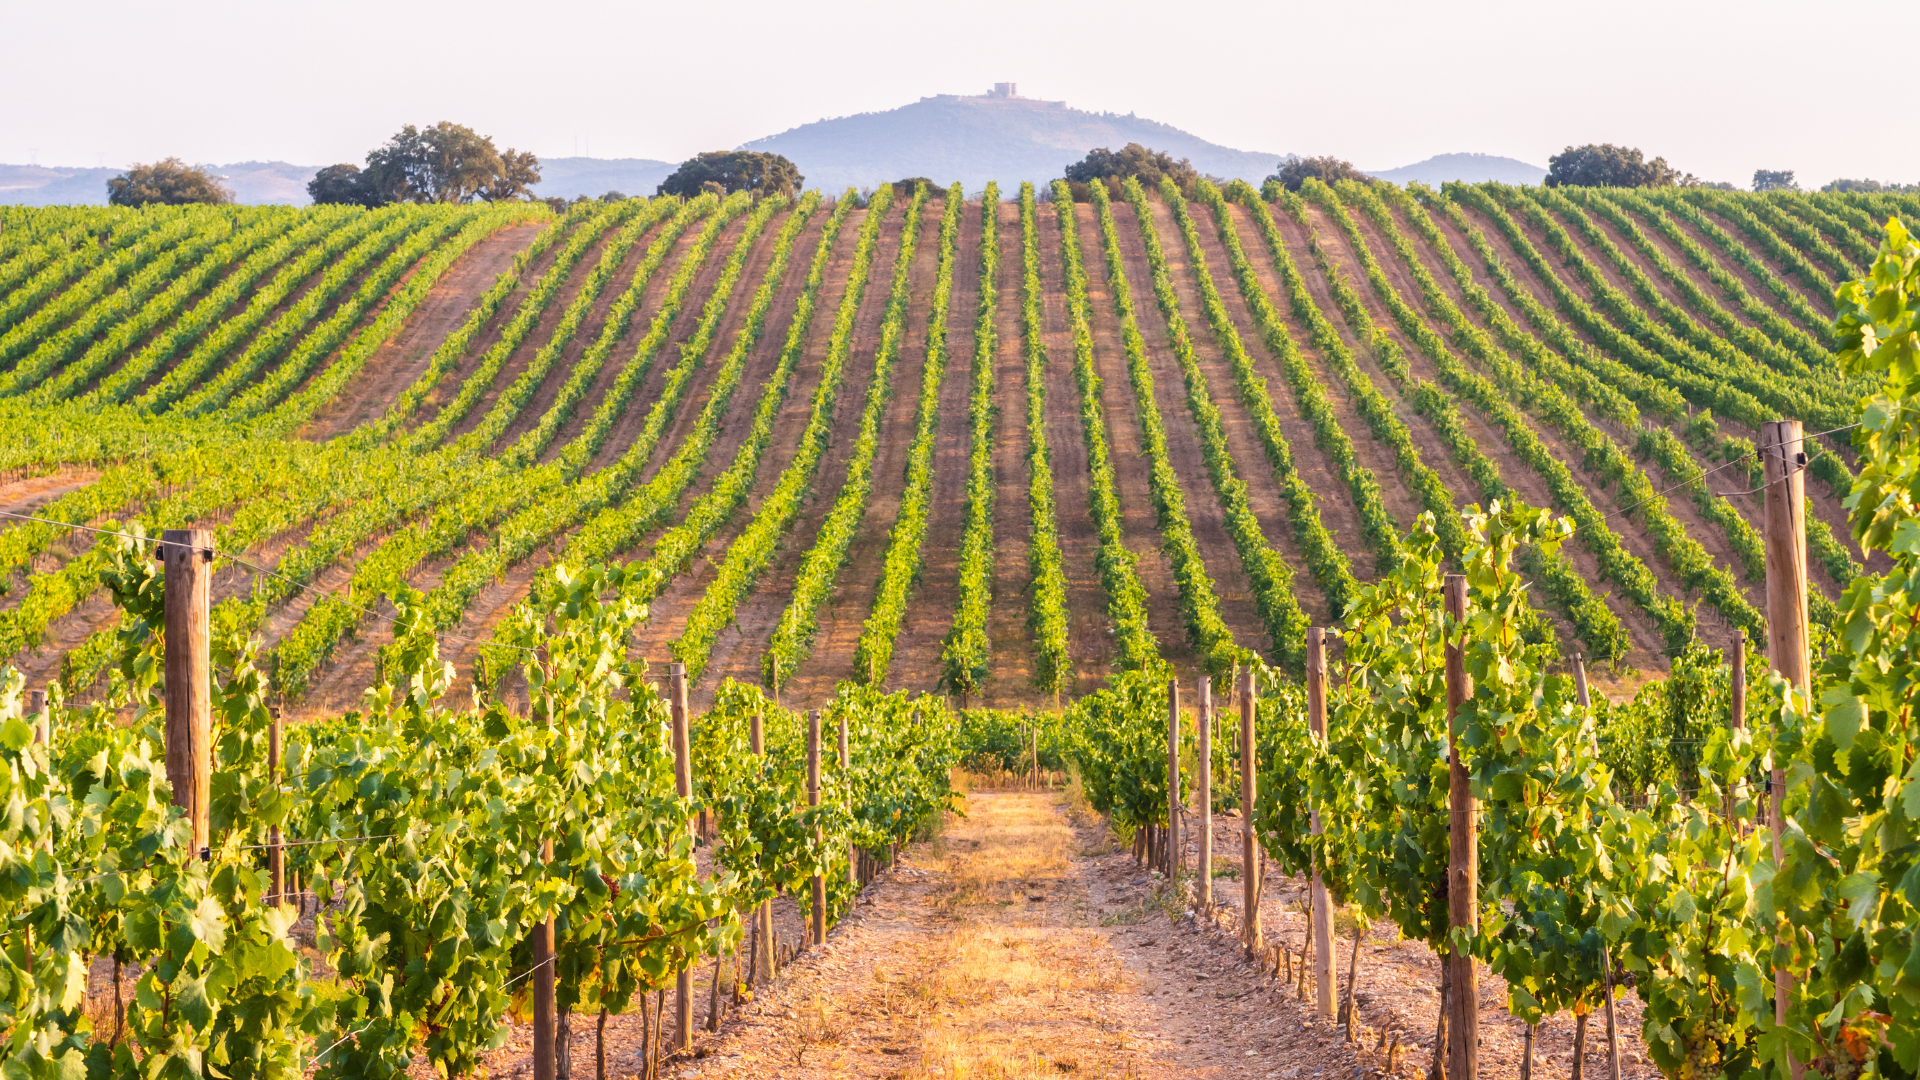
187	556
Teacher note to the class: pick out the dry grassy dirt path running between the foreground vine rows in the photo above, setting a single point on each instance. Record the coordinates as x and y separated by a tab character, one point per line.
1022	943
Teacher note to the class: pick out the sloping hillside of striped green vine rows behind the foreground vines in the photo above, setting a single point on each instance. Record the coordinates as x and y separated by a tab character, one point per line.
997	447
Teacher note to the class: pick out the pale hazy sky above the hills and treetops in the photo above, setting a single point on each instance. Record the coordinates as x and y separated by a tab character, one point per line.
1716	87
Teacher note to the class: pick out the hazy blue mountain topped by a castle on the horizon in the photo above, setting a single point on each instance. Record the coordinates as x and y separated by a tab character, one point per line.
994	137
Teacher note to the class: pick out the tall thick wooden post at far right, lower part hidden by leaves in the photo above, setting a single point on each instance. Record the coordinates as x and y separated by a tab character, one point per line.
1785	478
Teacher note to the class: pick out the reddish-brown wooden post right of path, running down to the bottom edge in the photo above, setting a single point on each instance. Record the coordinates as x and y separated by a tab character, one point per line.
1464	862
